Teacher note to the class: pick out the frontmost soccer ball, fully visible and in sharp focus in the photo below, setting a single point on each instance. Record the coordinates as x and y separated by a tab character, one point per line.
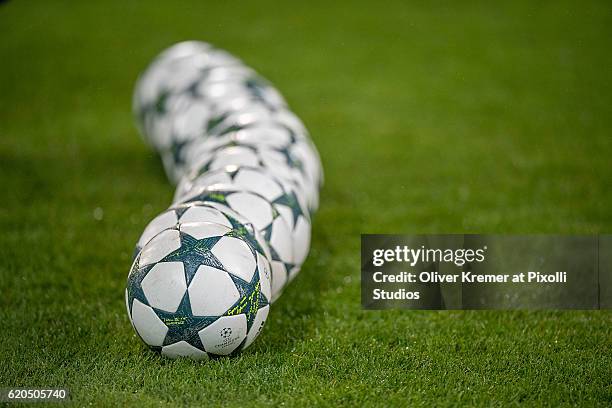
197	290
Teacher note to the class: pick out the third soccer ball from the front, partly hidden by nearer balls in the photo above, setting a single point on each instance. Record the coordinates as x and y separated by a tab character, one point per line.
267	220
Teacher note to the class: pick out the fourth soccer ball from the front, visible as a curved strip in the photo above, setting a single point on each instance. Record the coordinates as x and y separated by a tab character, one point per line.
282	194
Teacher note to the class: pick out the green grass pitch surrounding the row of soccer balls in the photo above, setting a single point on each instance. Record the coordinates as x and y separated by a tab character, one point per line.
430	117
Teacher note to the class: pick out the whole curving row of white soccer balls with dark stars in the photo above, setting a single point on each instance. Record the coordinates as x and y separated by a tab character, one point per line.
206	270
